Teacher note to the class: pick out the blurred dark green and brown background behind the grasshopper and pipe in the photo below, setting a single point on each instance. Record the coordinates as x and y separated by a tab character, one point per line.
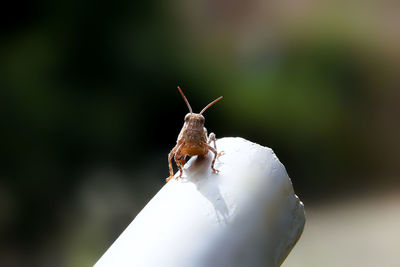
89	111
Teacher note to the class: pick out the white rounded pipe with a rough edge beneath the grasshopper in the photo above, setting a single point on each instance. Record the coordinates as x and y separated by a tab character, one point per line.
246	215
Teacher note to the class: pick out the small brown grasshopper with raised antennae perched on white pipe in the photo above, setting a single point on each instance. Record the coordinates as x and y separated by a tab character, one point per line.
192	140
